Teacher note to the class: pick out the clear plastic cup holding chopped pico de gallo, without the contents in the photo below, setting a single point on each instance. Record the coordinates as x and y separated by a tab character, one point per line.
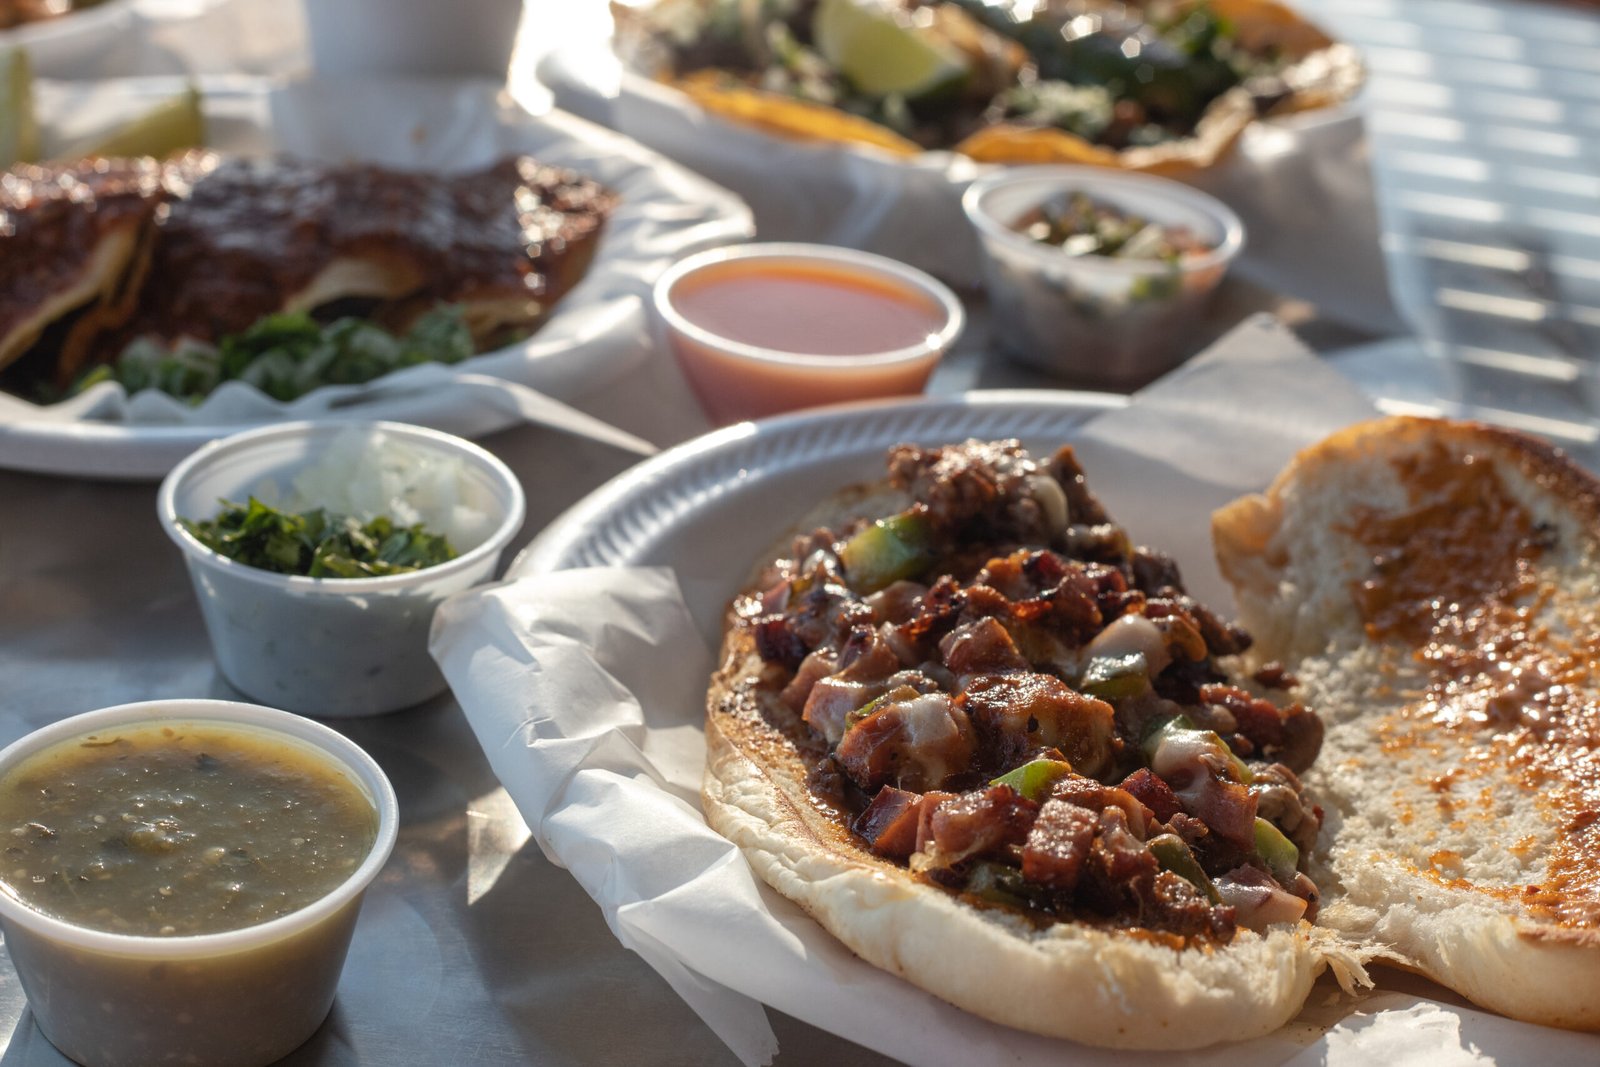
1097	321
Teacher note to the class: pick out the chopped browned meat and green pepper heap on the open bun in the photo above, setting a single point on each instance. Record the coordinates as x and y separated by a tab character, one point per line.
1028	709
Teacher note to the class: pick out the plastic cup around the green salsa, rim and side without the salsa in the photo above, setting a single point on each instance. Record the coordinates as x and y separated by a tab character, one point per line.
238	999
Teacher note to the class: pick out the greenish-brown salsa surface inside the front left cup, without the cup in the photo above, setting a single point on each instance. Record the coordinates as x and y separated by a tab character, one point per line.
180	829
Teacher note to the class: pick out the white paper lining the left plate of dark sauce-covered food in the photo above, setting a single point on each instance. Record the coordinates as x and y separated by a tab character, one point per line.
598	332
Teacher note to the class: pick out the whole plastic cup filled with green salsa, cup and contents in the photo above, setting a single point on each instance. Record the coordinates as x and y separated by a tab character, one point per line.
182	879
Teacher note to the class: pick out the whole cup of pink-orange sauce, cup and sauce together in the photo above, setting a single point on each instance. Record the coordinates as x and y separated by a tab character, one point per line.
777	327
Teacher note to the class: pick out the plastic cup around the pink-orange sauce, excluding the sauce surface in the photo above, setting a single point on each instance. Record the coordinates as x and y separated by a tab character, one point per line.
737	380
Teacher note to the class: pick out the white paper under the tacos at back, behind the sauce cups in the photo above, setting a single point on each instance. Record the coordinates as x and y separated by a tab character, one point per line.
1297	183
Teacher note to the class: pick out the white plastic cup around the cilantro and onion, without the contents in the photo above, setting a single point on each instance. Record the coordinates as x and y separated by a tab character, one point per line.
329	647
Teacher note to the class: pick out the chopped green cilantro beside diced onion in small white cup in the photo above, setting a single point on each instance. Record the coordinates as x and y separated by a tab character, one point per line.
316	543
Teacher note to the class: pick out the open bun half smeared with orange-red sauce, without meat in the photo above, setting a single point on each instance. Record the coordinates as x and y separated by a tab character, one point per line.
1458	767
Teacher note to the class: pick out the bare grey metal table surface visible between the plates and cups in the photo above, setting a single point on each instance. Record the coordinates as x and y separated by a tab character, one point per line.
473	948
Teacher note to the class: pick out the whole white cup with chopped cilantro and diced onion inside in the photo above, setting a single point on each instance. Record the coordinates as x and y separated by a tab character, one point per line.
319	553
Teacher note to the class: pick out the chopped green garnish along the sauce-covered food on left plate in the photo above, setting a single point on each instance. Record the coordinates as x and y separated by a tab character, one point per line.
287	356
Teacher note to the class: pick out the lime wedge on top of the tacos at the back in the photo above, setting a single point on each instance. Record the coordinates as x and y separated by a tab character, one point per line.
882	55
